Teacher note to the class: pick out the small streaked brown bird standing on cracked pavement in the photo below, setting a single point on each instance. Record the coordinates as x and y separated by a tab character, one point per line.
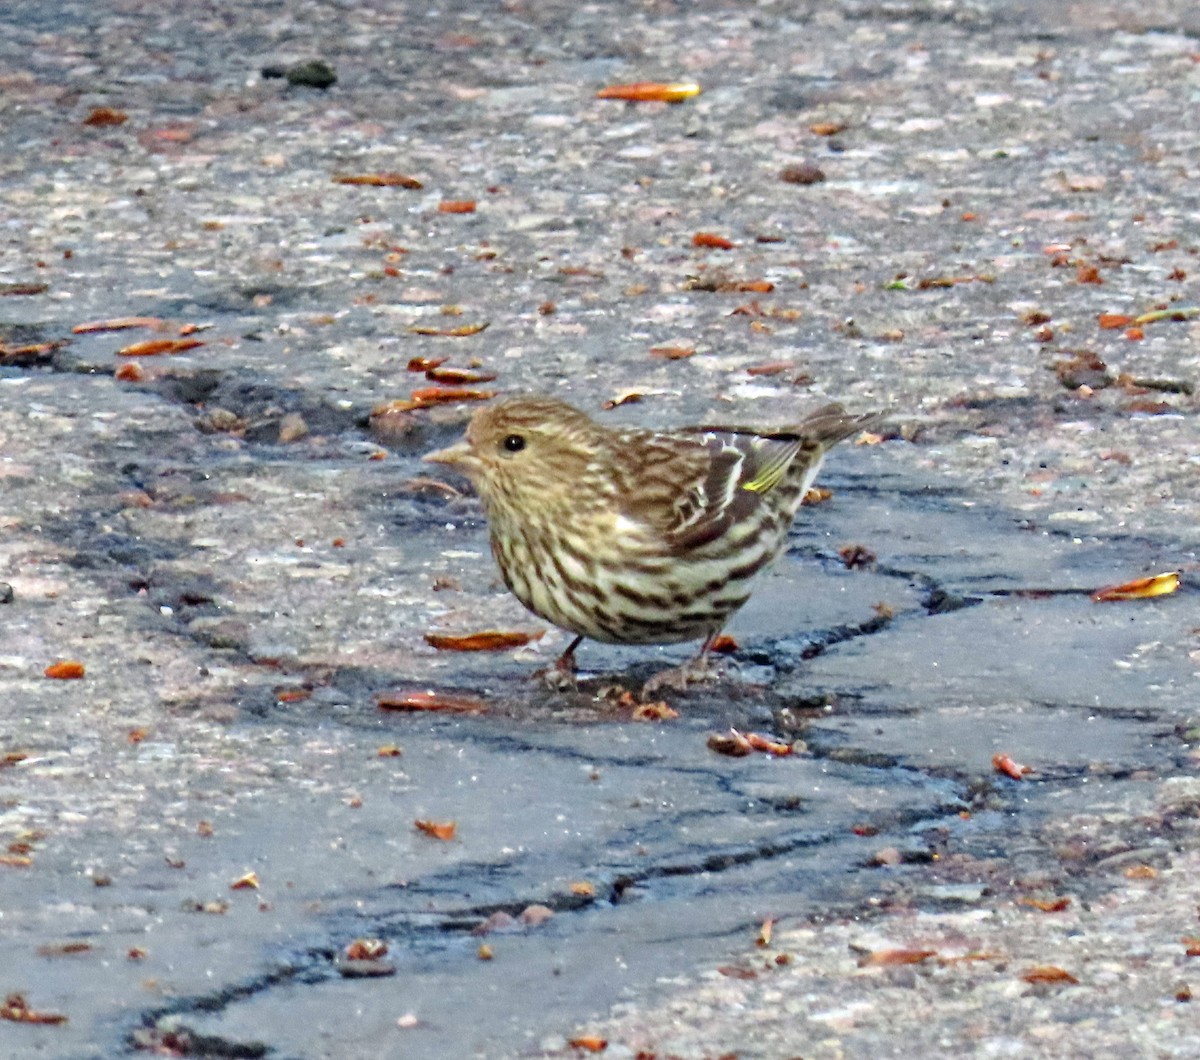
631	536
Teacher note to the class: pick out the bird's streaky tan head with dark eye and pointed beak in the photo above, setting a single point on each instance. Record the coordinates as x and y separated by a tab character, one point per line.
525	452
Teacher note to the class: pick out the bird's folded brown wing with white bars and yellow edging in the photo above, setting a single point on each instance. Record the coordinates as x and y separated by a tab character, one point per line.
693	486
